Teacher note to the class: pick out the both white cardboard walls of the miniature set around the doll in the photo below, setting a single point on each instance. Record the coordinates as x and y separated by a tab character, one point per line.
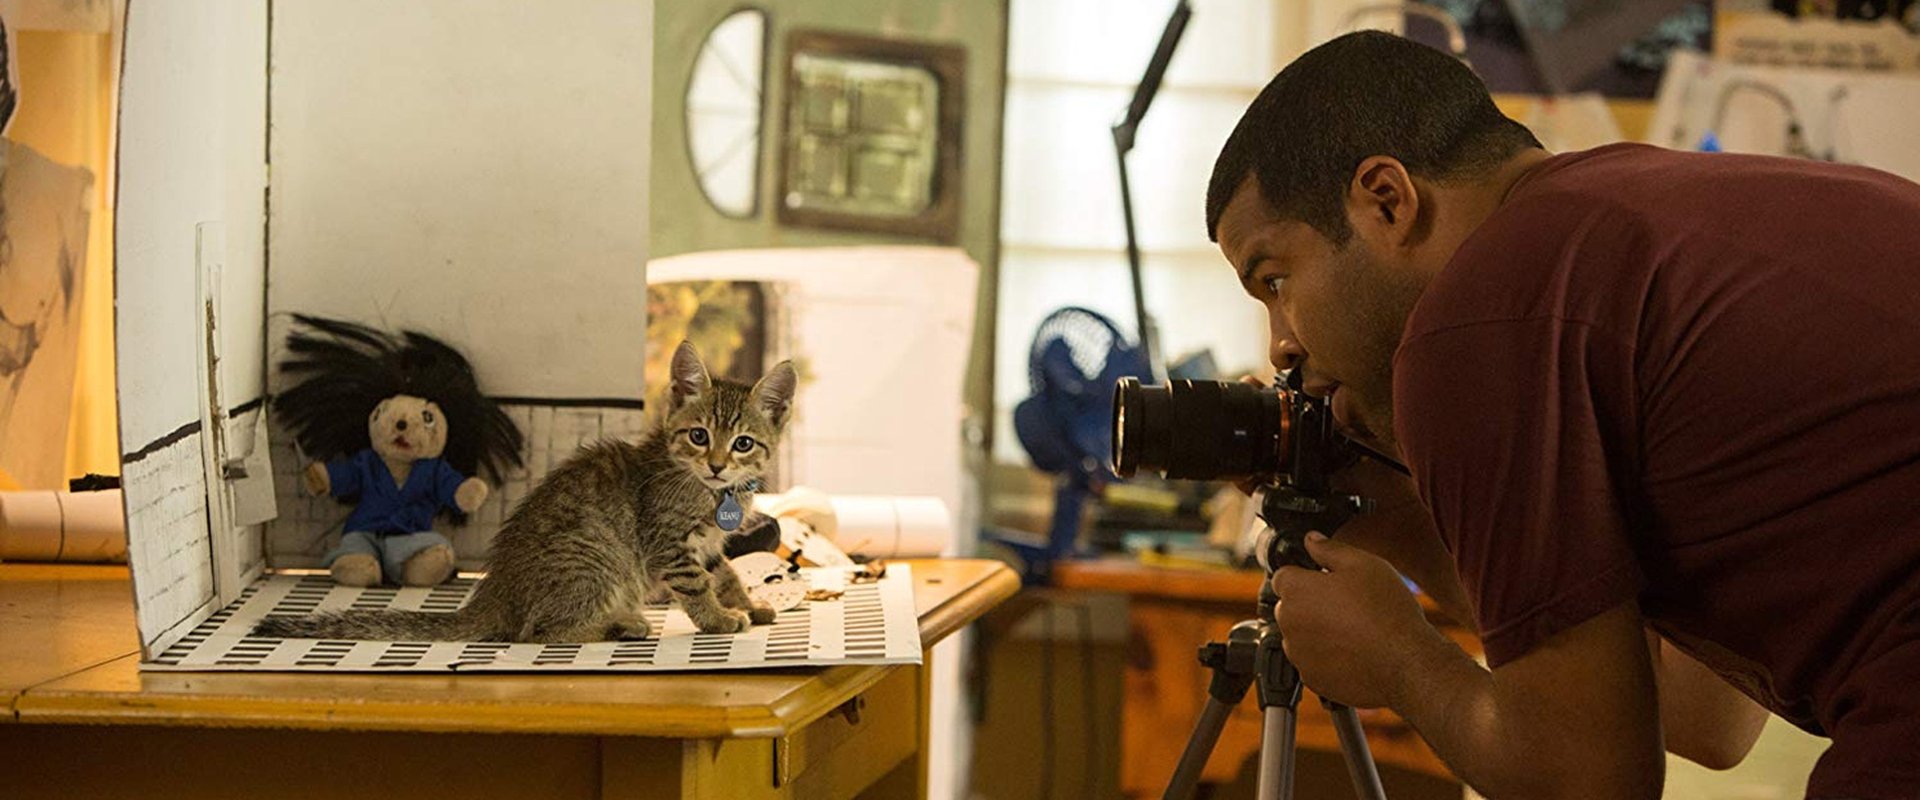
469	170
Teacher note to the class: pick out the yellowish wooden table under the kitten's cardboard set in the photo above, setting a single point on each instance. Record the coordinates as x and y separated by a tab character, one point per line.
85	722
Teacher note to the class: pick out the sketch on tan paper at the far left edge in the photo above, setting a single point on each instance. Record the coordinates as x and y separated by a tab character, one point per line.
43	252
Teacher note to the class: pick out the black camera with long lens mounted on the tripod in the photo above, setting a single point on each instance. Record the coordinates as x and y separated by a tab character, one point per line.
1280	438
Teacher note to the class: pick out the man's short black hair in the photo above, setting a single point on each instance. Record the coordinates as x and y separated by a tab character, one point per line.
1356	97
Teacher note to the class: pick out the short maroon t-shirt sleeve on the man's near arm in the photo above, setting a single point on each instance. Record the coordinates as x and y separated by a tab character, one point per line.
1514	436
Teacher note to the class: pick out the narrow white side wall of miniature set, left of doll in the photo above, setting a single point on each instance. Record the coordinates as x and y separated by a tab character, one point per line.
191	162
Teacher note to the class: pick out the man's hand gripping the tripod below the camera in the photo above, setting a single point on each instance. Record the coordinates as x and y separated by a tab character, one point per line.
1353	630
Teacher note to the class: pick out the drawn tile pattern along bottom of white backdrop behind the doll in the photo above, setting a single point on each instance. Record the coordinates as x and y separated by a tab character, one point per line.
310	527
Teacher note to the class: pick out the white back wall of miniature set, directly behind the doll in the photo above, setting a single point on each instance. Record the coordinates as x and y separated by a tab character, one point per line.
477	172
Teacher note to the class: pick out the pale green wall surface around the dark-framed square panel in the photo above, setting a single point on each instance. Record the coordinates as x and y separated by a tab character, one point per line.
684	222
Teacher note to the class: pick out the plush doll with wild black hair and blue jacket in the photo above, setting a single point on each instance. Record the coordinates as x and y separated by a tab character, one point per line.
400	429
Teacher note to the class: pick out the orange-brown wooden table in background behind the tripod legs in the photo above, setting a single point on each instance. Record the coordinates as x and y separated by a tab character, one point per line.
1172	613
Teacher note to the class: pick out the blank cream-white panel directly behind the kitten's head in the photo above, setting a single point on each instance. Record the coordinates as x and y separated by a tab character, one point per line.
875	415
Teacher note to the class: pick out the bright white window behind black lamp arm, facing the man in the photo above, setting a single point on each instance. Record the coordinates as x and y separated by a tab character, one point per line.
1072	70
